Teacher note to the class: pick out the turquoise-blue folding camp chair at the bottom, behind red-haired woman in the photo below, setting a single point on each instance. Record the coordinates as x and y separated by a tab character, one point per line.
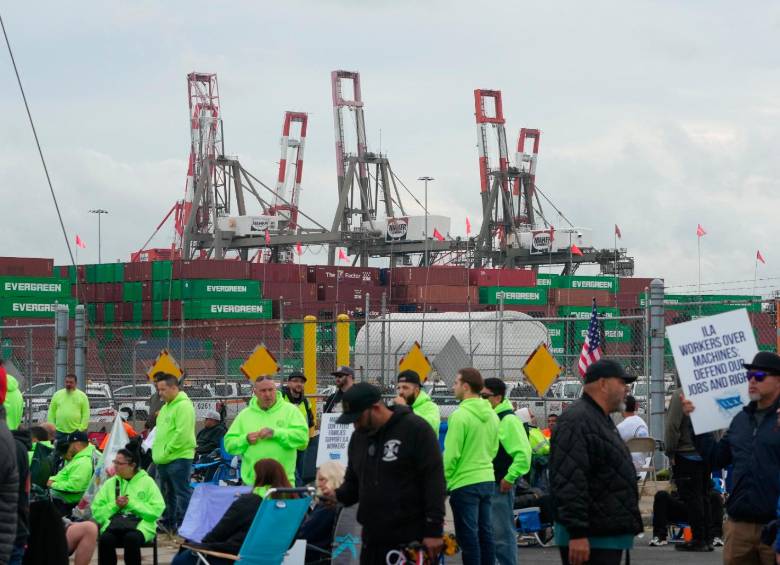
272	531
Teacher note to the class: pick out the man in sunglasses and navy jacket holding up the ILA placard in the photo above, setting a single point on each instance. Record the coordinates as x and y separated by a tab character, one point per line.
752	446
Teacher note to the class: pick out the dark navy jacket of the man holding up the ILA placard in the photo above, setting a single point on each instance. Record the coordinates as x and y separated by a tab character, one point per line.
754	451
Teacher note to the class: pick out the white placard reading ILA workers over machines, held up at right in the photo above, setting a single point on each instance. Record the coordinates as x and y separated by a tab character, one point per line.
709	353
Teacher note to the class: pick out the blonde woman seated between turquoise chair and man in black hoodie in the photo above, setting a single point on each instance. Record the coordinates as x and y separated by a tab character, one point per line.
319	525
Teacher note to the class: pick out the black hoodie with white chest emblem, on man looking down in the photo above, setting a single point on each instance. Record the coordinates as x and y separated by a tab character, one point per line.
397	476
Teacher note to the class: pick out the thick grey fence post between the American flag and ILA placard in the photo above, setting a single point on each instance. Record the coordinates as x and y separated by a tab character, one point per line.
657	363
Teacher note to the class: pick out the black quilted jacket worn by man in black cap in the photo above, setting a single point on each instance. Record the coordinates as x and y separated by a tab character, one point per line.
592	475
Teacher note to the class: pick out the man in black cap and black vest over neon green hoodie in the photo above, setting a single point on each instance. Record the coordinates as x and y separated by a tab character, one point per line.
512	462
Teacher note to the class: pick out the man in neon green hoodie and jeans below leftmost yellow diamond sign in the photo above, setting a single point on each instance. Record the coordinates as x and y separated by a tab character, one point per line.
174	448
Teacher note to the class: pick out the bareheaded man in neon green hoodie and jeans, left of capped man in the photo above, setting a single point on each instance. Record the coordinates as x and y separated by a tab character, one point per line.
470	445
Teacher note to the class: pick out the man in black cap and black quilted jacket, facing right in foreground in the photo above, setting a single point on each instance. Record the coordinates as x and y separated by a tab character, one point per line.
592	475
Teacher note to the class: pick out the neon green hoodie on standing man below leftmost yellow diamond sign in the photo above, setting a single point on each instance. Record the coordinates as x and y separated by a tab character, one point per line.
175	435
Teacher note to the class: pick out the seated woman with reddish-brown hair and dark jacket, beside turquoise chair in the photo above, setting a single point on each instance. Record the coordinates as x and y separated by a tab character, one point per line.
229	533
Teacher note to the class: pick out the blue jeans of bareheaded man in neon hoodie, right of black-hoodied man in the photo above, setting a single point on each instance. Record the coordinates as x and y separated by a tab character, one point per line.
471	511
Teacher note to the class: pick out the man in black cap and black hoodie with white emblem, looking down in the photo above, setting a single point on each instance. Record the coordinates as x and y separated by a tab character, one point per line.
395	472
